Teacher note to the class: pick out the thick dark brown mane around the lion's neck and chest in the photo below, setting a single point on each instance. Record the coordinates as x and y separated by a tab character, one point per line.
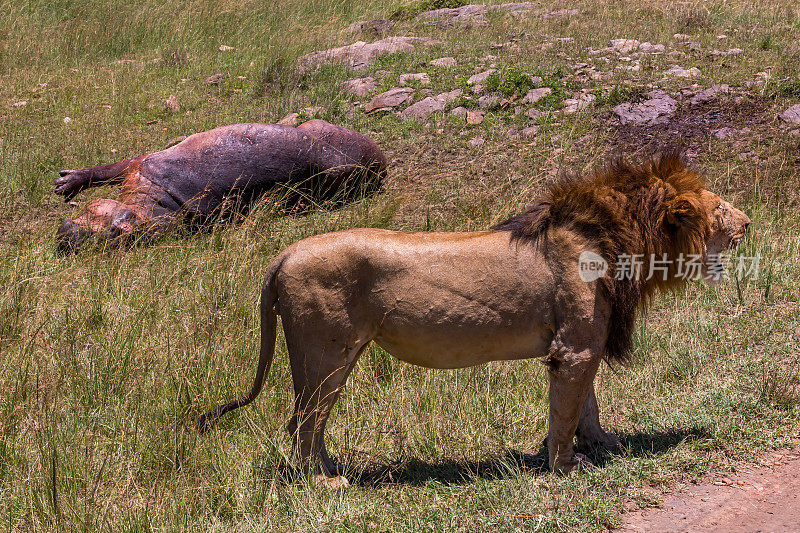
650	208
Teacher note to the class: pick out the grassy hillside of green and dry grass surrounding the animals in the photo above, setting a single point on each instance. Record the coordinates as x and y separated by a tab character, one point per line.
107	357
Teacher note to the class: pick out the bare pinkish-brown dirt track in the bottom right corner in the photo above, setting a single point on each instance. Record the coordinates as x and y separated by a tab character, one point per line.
764	497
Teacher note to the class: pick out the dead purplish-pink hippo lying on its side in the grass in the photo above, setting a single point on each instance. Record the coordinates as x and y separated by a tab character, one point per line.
213	173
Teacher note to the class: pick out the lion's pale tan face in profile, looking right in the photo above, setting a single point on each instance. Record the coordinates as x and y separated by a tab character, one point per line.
728	226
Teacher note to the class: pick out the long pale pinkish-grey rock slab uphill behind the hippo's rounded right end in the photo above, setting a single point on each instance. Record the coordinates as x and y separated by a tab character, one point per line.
360	54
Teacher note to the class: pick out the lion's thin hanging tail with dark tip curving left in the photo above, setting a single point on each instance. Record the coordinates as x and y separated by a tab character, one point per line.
269	299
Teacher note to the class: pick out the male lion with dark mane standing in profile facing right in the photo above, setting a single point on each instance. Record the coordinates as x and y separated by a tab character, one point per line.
452	300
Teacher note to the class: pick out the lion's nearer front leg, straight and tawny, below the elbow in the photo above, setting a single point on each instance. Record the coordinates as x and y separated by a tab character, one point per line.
571	376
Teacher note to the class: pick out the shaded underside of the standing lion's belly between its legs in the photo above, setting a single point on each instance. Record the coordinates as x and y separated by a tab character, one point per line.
459	348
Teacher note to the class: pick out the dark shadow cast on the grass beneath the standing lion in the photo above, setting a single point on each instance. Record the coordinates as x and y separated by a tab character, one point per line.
511	462
